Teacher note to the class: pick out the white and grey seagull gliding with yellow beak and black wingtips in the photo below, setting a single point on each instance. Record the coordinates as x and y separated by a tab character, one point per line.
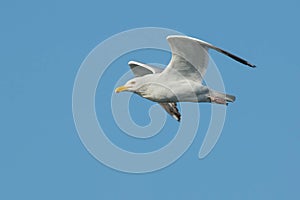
181	80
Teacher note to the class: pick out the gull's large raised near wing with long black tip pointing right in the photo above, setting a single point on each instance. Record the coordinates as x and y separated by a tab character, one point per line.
190	58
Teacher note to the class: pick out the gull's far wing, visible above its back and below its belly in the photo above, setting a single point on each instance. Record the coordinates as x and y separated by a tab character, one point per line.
141	69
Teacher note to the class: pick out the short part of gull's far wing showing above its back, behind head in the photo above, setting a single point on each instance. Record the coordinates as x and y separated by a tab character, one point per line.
141	69
